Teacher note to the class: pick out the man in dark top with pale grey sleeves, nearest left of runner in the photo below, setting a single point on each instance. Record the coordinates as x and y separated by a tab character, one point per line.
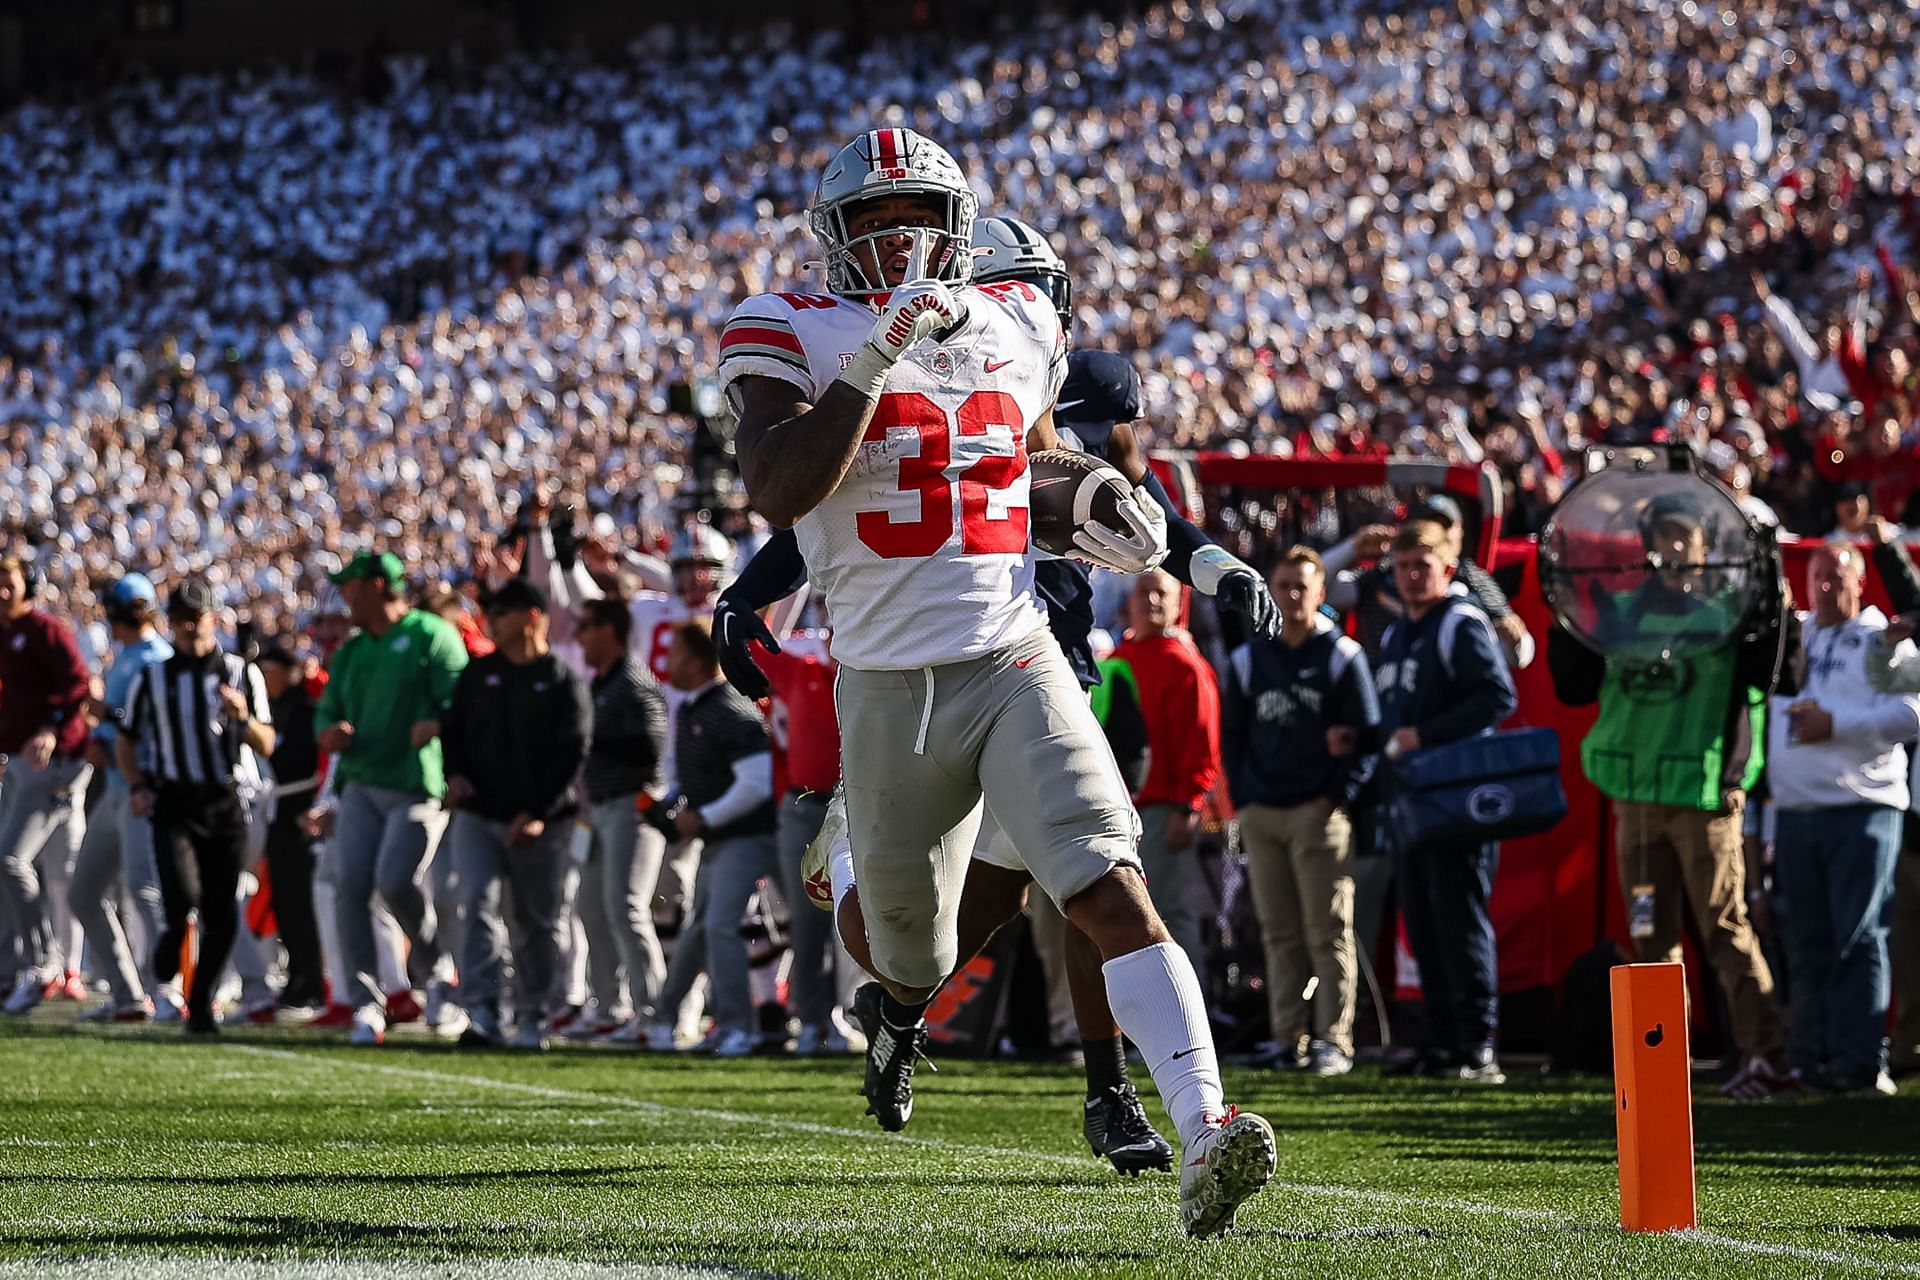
727	801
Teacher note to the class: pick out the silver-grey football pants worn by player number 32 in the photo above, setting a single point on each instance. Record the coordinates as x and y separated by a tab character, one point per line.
919	753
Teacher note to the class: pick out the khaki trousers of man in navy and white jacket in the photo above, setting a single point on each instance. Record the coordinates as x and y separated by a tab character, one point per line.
1301	868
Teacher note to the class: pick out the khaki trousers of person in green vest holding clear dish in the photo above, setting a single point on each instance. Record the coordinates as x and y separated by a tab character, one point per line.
1696	859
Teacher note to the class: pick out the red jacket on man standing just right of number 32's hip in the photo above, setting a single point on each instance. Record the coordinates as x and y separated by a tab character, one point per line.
1180	701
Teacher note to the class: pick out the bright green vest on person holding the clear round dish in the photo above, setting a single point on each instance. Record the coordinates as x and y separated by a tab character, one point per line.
1662	730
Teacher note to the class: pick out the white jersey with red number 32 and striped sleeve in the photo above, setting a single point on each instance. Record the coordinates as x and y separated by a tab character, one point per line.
923	552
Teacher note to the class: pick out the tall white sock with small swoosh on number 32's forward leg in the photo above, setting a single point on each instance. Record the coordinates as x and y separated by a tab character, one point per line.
1157	1001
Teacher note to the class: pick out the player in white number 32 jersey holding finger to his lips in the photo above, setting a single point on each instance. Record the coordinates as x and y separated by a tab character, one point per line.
888	423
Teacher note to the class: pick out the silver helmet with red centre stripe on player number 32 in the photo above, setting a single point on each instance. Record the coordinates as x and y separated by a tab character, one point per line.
892	162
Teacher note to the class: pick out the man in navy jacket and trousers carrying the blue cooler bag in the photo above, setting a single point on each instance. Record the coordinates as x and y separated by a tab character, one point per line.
1443	678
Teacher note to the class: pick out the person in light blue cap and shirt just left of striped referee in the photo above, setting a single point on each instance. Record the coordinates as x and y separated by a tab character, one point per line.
116	861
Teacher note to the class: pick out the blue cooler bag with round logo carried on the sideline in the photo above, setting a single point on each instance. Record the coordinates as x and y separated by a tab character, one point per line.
1489	788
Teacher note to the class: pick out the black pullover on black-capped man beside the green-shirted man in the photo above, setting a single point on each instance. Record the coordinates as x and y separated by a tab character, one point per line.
519	734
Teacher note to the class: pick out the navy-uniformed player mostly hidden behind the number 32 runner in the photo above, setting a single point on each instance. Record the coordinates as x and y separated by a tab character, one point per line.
1097	406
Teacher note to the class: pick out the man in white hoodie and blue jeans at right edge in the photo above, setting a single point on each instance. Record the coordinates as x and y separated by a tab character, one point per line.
1836	770
